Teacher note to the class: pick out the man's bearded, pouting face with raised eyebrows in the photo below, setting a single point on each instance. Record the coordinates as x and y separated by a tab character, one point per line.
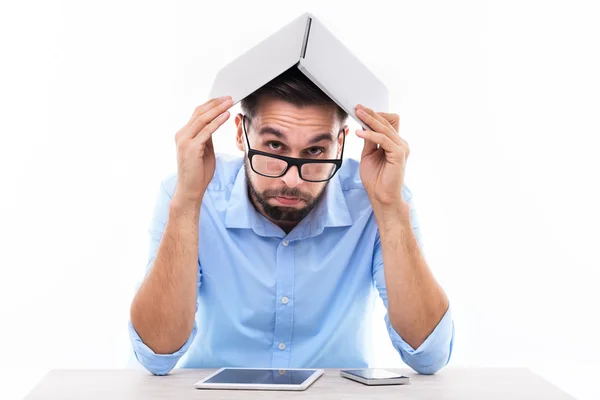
281	128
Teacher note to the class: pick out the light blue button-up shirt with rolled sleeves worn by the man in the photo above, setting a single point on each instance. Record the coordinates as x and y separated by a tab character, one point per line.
296	300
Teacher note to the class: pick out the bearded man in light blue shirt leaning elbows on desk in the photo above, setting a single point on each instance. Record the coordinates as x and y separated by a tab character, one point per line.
271	260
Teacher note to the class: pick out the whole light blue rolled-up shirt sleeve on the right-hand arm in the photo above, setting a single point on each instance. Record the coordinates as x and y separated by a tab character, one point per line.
434	353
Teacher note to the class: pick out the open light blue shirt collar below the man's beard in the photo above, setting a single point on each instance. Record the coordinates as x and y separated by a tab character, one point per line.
331	211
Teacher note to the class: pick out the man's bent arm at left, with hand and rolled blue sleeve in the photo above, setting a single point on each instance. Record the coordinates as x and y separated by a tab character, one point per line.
163	311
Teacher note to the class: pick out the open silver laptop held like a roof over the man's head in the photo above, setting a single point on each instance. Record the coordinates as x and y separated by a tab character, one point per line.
306	44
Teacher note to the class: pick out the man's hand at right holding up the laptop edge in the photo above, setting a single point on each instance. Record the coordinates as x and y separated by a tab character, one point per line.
384	157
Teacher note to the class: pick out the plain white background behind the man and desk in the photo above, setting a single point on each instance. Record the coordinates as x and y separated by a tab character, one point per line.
499	102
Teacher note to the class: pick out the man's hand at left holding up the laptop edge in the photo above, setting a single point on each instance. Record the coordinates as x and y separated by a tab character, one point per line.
195	152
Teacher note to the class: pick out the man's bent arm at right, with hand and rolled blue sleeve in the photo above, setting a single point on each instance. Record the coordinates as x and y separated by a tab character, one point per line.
418	319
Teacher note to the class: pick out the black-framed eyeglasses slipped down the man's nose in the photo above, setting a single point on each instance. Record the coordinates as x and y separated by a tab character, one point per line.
275	166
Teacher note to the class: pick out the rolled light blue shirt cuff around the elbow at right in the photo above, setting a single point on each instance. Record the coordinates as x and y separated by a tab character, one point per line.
434	353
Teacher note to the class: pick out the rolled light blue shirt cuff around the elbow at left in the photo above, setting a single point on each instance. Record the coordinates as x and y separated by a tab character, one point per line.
157	364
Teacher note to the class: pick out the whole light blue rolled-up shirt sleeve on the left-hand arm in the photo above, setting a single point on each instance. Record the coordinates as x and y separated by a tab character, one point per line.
159	364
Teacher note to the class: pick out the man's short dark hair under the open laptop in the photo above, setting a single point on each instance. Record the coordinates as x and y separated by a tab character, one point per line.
294	87
